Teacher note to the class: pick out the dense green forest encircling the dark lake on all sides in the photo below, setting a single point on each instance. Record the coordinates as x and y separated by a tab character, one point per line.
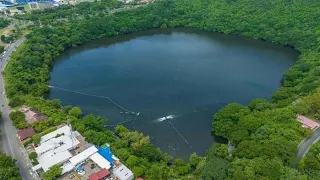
265	134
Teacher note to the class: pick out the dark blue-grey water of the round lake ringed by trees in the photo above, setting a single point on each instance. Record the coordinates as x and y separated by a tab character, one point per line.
187	73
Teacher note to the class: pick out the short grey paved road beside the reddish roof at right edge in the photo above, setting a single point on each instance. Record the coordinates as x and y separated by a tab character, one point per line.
306	144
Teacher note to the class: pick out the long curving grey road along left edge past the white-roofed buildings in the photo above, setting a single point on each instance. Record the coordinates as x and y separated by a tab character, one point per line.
9	142
